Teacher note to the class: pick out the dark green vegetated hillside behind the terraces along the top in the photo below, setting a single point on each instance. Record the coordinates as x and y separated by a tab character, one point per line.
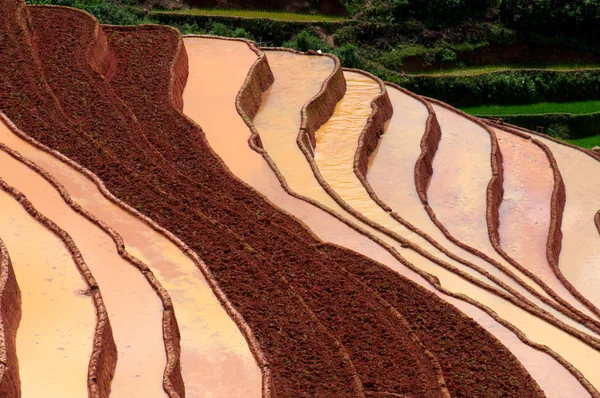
468	53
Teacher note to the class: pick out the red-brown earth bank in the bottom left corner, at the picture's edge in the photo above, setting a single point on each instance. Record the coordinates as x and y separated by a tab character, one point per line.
10	317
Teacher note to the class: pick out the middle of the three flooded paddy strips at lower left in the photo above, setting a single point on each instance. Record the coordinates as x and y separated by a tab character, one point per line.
133	307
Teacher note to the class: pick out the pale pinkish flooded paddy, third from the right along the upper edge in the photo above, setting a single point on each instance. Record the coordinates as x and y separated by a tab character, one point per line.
458	188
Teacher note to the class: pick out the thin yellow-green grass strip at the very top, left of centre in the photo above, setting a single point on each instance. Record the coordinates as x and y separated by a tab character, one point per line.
278	15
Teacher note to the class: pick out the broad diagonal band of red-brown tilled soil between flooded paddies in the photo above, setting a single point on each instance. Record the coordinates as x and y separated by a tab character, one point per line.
320	328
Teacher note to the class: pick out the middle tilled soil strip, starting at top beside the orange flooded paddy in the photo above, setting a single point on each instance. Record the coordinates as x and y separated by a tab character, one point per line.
338	301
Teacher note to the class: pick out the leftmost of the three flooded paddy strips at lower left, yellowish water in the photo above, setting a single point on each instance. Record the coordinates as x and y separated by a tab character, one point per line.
55	336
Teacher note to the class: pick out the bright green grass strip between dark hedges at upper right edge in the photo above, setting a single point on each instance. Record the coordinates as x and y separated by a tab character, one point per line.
539	108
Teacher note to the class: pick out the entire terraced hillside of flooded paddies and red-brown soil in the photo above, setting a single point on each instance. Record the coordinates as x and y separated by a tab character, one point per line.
201	217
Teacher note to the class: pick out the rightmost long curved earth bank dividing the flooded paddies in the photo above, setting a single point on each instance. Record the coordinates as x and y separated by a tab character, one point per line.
558	201
